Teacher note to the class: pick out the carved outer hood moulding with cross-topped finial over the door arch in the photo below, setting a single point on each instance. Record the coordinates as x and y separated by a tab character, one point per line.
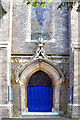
40	55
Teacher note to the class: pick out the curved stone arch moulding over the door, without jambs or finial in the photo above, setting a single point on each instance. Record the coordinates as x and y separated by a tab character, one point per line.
48	67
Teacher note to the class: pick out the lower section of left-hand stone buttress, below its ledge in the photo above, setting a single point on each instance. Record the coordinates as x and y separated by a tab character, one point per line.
4	106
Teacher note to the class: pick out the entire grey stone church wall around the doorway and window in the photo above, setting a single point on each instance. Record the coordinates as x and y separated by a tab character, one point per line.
65	44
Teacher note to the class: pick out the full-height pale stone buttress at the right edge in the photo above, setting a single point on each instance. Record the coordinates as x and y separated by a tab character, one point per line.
74	107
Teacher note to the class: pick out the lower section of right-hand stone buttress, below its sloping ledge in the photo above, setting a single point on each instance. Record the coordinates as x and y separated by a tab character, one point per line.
76	86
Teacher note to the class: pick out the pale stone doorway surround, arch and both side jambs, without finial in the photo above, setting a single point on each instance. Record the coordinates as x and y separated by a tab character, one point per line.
49	68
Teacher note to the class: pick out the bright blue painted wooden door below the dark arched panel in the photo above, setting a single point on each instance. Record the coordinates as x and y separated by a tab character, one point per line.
39	98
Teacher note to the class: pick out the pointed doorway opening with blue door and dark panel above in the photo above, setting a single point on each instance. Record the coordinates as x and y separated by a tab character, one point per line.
40	92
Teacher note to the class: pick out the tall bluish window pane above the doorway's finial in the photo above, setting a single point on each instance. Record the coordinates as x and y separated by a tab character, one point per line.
40	23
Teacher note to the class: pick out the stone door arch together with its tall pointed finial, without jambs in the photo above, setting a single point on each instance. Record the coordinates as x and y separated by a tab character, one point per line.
39	62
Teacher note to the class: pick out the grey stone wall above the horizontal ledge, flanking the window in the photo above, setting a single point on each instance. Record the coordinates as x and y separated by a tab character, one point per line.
58	30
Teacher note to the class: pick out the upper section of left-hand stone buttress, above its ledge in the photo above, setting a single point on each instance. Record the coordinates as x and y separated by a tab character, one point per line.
5	22
